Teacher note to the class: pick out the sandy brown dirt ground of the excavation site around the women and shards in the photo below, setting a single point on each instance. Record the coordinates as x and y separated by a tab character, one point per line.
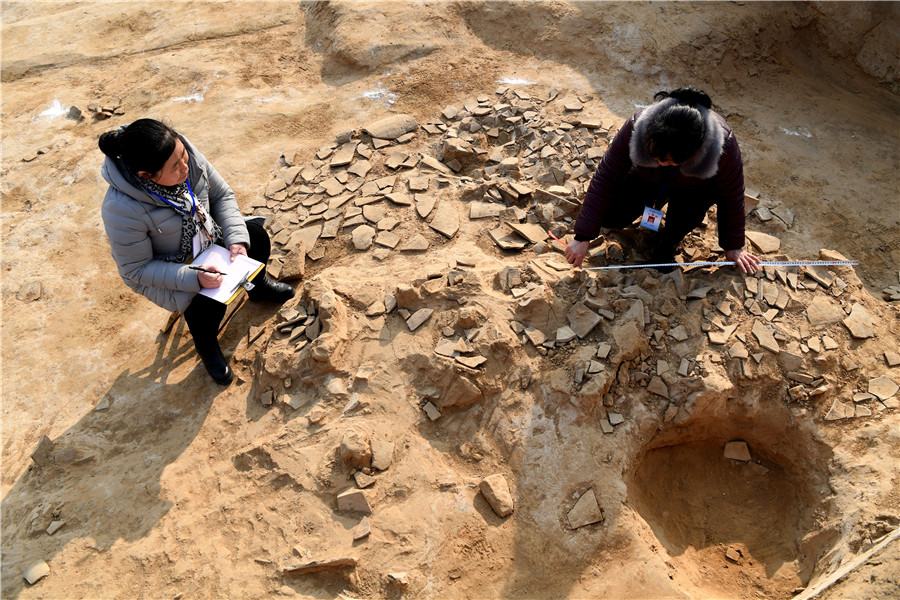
171	487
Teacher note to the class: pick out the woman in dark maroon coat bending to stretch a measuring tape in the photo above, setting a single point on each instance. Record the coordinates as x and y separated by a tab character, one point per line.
679	152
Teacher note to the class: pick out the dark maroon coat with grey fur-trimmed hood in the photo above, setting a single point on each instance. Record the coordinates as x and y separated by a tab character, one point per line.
717	162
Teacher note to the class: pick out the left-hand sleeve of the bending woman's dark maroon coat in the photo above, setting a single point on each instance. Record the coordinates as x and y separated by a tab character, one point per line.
610	173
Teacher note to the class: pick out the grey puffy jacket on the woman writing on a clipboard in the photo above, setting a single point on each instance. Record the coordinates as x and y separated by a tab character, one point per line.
144	231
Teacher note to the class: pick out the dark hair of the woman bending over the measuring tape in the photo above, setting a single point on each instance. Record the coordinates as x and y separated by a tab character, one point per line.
678	131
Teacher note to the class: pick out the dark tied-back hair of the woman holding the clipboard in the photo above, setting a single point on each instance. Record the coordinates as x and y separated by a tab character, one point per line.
144	145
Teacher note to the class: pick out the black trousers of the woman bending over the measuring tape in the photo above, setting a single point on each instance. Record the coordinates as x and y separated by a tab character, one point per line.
686	208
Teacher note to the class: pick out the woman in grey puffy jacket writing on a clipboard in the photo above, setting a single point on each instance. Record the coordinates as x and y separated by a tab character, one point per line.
166	204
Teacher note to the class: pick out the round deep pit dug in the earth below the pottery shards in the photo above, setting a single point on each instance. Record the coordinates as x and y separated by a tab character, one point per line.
724	521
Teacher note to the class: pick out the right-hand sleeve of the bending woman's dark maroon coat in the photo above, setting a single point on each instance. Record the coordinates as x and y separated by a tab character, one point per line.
730	191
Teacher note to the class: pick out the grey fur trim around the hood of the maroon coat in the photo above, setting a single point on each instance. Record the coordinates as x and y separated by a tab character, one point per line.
704	164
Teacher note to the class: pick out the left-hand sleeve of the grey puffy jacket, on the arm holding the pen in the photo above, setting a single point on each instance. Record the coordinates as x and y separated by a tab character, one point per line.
132	249
